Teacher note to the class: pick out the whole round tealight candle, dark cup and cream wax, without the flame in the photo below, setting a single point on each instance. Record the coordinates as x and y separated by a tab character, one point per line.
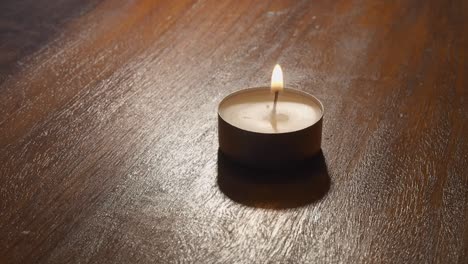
254	132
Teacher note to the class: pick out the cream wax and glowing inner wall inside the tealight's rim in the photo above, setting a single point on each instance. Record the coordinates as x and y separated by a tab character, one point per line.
252	110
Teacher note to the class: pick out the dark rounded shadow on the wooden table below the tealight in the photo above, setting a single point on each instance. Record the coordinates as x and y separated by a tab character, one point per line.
274	189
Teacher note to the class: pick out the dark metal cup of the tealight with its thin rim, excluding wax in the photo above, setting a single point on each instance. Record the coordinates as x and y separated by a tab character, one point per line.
270	150
